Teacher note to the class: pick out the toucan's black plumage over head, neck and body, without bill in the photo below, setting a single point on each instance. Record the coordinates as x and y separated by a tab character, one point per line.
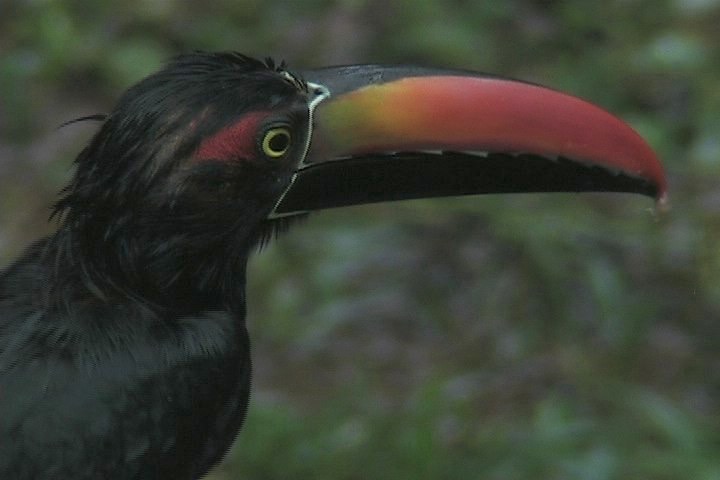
123	347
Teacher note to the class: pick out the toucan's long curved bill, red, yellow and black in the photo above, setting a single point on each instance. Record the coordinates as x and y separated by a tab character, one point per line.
394	133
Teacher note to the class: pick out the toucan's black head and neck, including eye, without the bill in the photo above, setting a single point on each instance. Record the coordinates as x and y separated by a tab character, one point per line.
186	169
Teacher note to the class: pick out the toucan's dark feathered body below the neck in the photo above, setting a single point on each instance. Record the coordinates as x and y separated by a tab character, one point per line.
107	384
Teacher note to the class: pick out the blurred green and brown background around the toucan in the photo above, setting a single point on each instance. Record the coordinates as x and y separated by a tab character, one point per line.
499	337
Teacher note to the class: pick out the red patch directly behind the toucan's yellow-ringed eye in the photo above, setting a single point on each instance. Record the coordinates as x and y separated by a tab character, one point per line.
236	141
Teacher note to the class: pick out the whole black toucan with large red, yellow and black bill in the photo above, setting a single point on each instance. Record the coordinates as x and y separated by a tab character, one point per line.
124	352
